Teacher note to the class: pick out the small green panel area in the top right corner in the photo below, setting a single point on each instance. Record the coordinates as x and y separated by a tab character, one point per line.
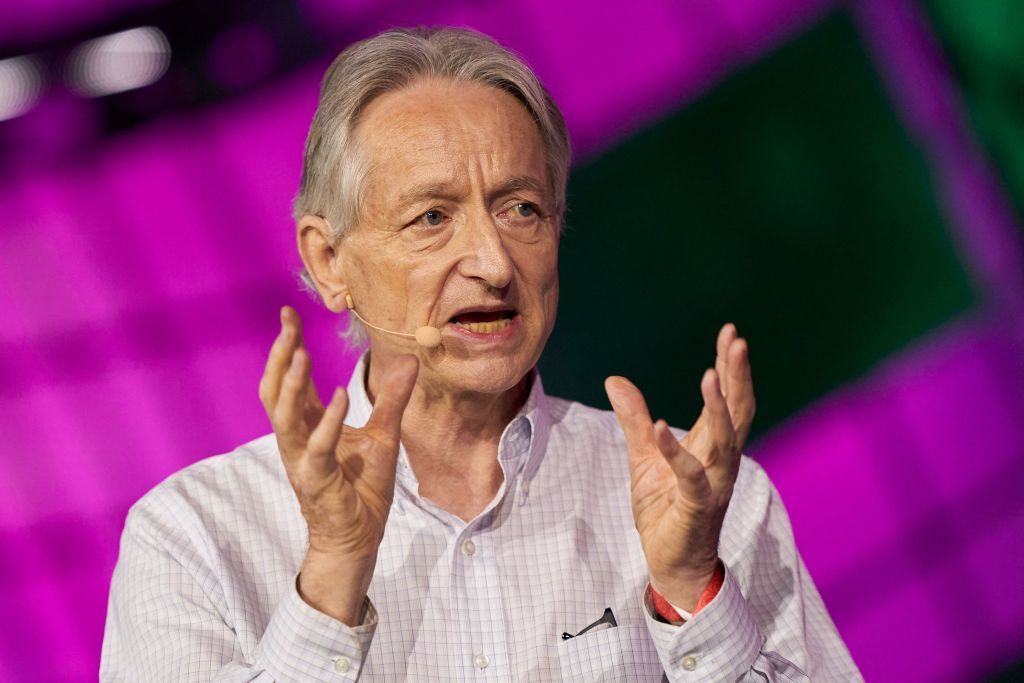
985	42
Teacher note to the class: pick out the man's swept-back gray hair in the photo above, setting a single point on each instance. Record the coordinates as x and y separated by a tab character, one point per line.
333	172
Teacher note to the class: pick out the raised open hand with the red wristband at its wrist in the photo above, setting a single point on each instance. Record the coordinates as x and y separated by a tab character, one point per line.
681	489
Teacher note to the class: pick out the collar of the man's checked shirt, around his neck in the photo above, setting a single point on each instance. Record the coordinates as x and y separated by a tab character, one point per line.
525	440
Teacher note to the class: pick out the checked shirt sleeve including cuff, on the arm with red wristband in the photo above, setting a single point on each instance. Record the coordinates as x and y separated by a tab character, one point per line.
767	622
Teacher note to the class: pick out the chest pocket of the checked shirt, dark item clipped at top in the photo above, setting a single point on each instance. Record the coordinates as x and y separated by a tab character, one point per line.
624	654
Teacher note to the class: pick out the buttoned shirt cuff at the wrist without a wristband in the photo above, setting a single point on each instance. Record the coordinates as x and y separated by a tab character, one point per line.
303	645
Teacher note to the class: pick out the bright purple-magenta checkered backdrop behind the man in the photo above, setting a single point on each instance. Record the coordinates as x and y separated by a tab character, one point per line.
140	284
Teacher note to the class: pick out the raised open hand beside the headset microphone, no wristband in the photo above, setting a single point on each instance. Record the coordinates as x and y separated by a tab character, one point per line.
344	478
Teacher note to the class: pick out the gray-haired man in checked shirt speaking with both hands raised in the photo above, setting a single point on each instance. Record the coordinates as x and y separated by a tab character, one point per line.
444	519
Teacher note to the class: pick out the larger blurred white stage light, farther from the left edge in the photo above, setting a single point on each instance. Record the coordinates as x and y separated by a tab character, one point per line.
120	62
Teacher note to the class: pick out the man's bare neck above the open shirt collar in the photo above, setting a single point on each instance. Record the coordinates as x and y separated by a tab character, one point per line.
452	441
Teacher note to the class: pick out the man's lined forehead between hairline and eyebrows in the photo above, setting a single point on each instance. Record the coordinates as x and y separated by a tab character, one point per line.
448	130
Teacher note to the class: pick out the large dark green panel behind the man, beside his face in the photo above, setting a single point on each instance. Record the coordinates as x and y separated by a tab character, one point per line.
788	200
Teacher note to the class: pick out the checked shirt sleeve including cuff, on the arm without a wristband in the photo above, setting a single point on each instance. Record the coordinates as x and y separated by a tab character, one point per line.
168	619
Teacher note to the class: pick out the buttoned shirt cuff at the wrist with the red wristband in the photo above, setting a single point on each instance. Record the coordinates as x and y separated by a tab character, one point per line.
718	645
